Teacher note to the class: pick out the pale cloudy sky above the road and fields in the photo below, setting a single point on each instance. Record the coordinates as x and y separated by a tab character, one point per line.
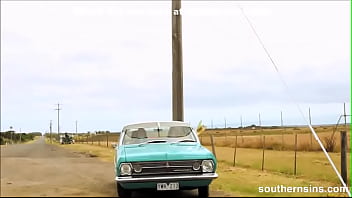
109	63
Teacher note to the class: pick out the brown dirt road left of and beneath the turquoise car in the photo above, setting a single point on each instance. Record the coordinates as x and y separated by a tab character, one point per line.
40	169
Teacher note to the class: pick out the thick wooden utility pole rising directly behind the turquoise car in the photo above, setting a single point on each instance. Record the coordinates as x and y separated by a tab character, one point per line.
177	70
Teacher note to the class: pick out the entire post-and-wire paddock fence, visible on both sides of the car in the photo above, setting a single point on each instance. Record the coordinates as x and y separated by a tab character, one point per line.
283	150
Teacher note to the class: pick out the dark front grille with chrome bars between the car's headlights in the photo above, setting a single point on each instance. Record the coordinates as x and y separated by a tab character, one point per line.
166	167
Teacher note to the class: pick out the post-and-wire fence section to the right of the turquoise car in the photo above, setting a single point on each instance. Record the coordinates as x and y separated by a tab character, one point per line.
269	153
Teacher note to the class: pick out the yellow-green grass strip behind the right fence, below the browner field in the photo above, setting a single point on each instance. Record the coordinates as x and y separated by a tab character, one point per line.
310	165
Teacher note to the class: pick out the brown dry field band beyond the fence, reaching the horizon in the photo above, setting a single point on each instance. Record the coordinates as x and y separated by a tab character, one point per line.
275	138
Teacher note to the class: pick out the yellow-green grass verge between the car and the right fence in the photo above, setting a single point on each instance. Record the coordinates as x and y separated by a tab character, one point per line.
246	182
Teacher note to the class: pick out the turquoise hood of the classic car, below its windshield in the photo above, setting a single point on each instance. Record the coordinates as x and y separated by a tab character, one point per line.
166	151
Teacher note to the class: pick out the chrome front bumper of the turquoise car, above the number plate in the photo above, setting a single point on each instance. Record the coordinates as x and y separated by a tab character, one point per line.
204	176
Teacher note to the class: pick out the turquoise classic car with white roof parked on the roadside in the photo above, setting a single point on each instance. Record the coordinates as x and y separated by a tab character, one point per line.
162	156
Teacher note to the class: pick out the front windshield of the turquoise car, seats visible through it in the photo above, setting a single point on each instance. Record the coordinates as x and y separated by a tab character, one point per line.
158	135
